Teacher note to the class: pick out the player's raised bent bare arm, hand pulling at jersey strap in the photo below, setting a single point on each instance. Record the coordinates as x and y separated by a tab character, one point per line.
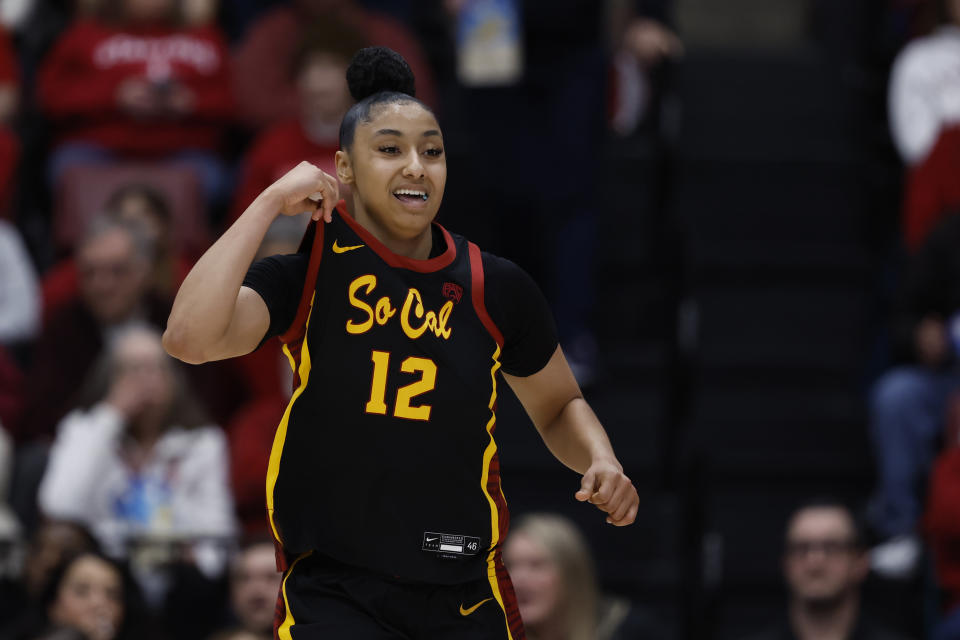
213	316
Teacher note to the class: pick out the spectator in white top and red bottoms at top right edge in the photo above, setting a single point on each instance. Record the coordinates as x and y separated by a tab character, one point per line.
924	102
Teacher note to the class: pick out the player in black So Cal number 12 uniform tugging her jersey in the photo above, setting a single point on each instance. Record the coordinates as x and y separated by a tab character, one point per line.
383	487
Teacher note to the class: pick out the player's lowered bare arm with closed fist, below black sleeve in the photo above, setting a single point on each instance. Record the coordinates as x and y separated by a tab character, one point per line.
572	432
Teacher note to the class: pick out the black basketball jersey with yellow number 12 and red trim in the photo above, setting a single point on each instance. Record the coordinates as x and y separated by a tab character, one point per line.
385	456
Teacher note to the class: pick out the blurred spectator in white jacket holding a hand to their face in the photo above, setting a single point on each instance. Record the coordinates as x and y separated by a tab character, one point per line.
135	461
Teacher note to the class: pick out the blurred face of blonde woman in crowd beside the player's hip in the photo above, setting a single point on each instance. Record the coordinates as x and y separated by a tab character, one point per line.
536	579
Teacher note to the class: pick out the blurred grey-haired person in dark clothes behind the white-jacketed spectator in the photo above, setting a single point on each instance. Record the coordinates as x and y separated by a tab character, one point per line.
114	262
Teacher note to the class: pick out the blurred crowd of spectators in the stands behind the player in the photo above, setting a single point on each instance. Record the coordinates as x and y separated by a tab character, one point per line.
134	131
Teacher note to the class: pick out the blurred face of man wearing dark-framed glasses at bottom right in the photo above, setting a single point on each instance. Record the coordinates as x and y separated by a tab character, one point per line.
821	561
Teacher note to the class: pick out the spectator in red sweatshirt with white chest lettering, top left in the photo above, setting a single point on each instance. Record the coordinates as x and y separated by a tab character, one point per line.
133	83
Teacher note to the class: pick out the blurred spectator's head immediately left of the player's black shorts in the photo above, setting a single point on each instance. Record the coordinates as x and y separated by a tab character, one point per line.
254	585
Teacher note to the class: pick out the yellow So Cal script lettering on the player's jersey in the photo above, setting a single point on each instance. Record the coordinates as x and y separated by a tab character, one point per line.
411	312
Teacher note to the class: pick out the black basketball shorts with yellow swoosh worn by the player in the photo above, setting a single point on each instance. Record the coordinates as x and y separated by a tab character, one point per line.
322	599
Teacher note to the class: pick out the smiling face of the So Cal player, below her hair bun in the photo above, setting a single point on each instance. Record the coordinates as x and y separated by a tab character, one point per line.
397	170
